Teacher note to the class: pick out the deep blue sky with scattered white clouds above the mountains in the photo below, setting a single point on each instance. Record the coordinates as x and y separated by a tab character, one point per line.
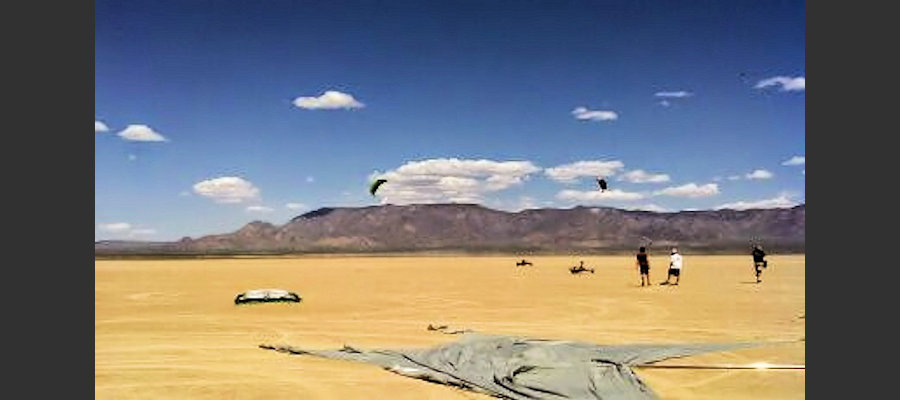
212	114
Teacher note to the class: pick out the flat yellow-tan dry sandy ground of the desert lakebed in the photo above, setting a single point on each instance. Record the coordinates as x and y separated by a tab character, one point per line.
169	328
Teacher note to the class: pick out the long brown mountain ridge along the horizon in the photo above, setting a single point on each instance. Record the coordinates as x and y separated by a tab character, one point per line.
474	228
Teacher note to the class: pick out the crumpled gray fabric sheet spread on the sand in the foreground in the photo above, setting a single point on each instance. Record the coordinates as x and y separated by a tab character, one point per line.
517	368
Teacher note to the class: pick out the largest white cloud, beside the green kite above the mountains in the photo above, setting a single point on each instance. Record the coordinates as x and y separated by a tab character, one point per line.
450	180
